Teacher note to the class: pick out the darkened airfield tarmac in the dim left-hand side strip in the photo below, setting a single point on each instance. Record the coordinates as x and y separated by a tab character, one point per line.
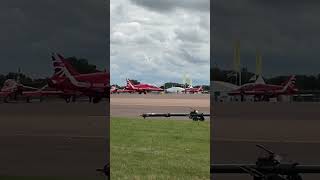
53	139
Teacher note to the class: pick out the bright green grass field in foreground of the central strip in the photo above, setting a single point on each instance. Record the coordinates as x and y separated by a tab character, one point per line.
159	149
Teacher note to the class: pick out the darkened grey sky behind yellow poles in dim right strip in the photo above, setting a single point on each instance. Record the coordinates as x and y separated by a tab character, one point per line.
286	32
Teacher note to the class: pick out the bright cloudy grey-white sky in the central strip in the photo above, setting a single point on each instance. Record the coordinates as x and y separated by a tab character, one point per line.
158	41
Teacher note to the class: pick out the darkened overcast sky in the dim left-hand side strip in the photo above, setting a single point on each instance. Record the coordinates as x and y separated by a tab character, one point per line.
31	30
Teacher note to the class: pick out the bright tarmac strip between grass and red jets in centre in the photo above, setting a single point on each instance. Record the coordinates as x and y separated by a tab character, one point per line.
133	105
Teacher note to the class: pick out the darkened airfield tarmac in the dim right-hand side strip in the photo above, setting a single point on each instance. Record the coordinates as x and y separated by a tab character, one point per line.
289	129
